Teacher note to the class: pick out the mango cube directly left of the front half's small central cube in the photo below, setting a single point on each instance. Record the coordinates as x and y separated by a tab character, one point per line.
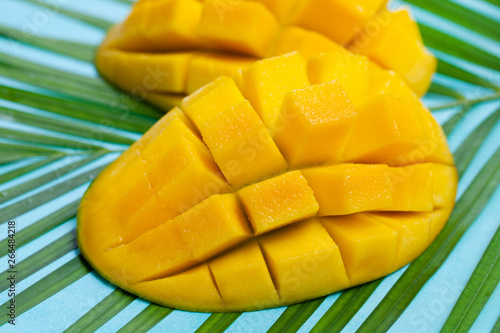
216	225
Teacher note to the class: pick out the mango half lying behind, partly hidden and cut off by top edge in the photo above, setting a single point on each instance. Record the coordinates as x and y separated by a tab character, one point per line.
168	48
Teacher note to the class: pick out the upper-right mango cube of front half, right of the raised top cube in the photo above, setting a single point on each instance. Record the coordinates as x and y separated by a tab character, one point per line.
399	130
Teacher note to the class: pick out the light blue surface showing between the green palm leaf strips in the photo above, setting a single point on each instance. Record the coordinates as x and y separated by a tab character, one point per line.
426	313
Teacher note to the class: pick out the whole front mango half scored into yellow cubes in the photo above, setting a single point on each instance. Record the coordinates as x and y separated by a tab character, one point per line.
267	190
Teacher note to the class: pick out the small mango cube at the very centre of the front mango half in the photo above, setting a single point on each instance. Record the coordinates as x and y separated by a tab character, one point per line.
278	201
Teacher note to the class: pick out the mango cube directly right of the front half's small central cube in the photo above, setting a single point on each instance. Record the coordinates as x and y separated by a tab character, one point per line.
350	188
